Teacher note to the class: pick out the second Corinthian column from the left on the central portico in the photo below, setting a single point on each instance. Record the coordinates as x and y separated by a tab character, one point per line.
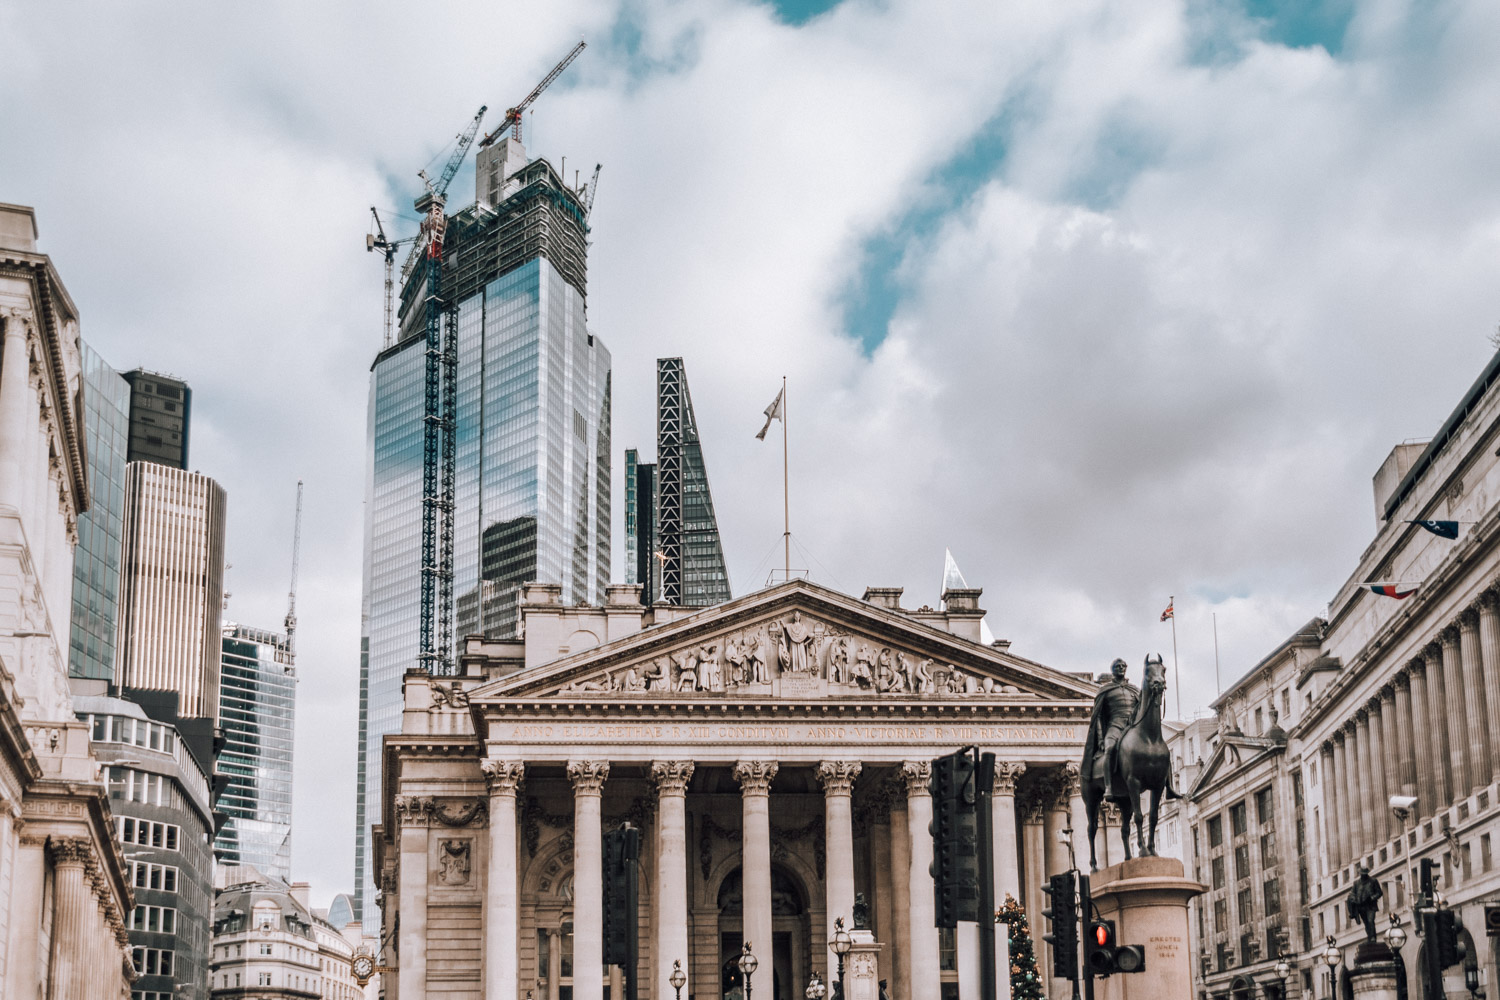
589	878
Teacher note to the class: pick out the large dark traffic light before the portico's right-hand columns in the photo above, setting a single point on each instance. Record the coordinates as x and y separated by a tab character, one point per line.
956	840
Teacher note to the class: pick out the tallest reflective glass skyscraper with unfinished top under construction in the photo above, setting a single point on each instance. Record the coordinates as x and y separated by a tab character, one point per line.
533	449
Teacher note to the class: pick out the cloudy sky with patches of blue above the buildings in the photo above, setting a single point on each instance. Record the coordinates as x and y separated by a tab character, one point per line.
1118	302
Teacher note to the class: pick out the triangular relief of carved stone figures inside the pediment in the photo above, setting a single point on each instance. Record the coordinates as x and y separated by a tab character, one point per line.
796	653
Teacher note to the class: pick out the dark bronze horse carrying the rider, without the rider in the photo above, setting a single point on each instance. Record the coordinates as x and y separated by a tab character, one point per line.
1145	767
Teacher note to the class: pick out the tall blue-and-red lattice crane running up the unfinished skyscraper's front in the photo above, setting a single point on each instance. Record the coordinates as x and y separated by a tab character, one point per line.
436	642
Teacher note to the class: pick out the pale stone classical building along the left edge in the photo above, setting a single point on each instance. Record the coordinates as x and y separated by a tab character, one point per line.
64	897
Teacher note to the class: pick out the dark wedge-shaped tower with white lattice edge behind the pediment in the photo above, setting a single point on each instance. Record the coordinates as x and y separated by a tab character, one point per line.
673	542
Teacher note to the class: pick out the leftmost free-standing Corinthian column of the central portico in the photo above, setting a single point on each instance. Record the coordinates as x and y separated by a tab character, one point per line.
502	897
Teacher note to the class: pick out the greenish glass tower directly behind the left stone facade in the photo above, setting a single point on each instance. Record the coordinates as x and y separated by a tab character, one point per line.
97	560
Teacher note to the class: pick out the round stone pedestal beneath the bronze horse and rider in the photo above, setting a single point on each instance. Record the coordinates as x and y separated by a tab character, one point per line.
1148	900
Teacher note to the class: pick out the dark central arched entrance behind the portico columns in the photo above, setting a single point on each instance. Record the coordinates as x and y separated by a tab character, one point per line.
791	950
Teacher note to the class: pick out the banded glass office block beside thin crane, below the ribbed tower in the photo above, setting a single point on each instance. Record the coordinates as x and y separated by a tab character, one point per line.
257	711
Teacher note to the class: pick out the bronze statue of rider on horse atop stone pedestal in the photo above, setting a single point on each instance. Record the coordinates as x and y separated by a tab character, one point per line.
1126	755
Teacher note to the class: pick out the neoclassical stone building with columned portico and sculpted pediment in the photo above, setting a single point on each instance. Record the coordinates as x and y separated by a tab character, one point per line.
775	753
